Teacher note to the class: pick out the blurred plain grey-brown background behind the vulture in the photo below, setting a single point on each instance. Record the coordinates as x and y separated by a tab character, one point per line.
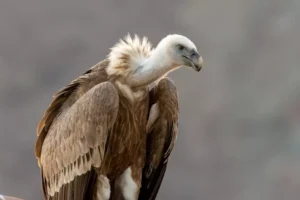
240	117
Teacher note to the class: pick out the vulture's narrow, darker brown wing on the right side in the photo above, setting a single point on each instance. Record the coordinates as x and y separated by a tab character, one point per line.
161	137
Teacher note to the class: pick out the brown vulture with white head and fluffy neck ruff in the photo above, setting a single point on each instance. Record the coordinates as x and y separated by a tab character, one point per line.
109	133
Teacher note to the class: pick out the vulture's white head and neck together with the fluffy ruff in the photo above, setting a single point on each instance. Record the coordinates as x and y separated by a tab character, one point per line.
137	64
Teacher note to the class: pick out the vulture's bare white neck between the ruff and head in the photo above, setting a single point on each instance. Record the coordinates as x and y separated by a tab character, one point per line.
152	69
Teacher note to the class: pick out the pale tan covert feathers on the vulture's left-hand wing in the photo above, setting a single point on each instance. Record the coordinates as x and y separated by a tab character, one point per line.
76	139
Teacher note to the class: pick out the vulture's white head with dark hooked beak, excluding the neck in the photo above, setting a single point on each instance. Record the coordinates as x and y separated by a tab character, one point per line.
181	51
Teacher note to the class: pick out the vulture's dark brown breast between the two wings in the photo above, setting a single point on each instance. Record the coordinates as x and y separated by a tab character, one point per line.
127	140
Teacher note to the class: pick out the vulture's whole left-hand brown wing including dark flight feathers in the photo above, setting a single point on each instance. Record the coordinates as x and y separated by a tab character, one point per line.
72	137
